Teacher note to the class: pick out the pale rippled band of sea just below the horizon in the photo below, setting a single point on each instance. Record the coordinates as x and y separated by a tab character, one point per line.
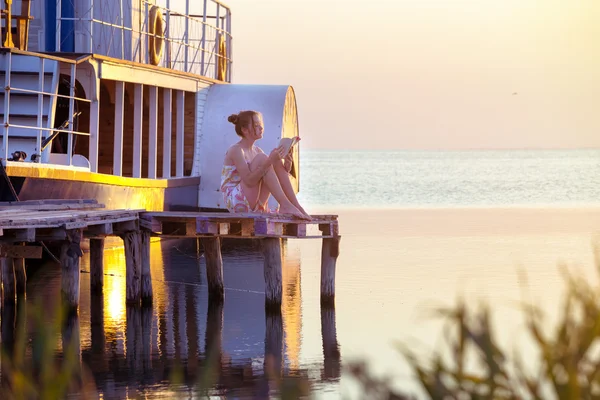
392	179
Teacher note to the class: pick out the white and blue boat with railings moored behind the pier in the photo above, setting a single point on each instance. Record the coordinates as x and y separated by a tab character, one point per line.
125	102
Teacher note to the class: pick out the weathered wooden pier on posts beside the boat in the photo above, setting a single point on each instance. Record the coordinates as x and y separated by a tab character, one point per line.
25	224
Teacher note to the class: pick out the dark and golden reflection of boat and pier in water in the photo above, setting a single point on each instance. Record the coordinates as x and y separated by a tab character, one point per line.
183	343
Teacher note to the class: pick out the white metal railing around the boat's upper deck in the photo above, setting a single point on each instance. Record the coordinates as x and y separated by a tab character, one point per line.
196	35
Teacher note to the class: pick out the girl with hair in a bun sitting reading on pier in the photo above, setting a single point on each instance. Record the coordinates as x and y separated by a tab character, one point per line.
249	176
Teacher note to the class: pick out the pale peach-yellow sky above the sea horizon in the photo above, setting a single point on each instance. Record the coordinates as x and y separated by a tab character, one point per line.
429	74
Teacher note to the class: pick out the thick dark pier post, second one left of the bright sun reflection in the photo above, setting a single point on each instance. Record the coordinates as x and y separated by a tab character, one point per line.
69	259
